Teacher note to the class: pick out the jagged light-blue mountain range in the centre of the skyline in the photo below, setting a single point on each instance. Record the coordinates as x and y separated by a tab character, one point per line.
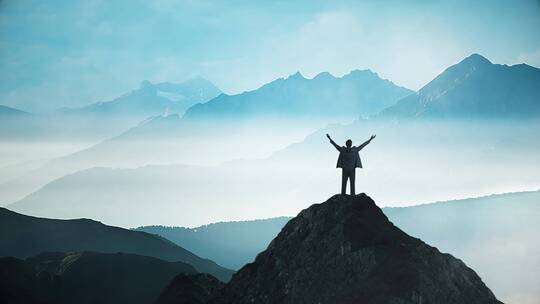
285	101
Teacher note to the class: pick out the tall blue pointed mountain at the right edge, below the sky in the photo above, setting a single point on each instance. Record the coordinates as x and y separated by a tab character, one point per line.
475	88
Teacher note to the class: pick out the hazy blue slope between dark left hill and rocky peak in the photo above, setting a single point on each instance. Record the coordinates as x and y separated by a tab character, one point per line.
231	244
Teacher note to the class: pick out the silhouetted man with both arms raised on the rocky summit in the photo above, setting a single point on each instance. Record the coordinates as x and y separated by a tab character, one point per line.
348	161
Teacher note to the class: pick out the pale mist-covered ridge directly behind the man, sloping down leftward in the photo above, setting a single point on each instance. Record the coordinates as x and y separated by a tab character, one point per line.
413	160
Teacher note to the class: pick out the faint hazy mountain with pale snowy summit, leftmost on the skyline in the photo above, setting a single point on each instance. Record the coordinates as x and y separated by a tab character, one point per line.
108	118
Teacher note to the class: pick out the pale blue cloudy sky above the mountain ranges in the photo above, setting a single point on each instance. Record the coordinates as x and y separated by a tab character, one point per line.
70	53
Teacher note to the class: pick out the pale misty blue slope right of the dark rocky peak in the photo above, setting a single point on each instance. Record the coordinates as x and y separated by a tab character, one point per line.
497	235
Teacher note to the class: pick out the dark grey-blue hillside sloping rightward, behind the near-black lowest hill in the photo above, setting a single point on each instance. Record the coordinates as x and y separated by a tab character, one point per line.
24	236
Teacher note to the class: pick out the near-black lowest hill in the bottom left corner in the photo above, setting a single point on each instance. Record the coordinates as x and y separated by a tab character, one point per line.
86	277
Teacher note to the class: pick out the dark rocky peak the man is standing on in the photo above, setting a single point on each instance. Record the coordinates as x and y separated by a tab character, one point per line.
347	251
